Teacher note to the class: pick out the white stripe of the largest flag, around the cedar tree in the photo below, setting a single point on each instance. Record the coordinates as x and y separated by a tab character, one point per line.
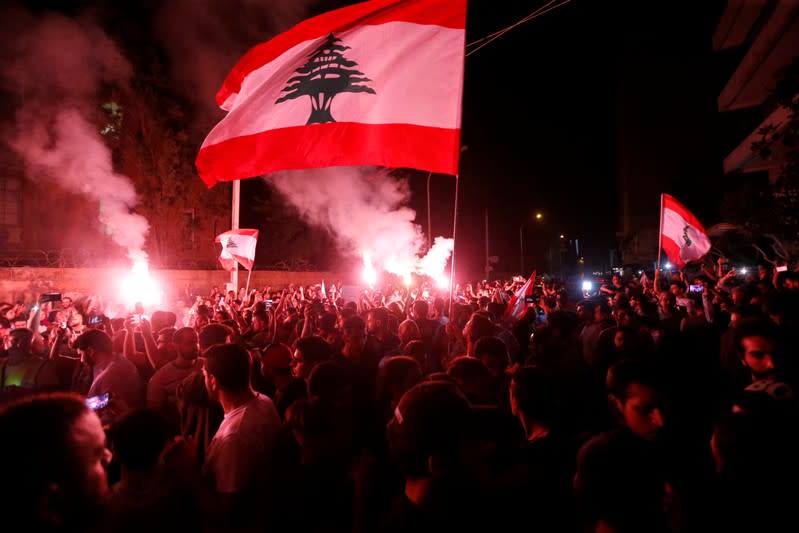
410	88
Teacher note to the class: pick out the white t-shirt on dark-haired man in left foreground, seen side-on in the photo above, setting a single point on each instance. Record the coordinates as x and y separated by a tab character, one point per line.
239	455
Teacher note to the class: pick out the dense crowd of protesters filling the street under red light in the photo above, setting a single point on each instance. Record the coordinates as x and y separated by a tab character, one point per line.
661	404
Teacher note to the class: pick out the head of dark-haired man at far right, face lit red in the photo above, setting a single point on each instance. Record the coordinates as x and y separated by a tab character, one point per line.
757	340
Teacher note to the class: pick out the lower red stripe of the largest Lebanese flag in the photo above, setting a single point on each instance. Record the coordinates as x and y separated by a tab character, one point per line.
332	144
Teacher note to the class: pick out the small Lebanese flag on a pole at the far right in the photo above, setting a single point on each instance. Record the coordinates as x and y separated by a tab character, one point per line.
683	237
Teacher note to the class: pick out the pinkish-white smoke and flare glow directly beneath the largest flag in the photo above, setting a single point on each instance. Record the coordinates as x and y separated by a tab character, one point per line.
366	209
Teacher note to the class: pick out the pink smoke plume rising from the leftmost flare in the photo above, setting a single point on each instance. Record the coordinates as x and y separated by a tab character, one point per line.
57	66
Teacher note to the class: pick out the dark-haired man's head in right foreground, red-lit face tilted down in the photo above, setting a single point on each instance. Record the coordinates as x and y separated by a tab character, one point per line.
634	391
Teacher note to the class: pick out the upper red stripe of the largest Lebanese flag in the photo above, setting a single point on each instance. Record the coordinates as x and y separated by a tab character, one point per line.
445	13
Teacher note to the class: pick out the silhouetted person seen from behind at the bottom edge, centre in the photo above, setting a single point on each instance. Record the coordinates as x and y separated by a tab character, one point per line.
430	440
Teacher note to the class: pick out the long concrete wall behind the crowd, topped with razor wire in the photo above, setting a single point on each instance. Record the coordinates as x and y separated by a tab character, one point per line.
26	283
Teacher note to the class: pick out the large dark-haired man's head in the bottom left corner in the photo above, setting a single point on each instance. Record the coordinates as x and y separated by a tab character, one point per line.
55	450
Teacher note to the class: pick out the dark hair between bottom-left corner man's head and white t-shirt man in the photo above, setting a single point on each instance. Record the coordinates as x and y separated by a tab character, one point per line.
138	438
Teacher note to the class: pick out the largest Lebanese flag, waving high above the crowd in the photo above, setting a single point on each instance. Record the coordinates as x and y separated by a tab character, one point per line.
377	83
